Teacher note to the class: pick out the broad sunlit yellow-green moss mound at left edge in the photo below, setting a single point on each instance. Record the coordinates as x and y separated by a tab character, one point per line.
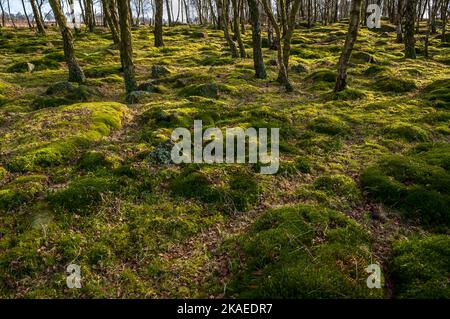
68	129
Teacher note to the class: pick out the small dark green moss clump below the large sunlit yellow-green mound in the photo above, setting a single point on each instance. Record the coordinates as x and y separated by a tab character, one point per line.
82	193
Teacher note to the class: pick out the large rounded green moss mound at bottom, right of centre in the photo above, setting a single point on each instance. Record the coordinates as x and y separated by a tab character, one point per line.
302	252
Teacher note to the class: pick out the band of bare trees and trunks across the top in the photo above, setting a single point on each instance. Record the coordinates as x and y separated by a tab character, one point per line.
277	18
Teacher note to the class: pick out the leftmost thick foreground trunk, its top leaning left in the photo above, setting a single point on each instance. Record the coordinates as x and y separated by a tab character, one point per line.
75	72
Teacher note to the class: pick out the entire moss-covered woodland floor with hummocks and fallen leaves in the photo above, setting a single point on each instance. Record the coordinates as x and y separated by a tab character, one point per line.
364	175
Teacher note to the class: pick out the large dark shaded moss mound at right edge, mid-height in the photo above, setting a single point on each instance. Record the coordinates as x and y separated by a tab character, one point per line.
418	185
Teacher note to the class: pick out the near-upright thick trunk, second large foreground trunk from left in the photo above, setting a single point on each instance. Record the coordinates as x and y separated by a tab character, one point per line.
126	46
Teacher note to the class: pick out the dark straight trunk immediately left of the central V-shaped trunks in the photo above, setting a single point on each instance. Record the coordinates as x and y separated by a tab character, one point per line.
258	60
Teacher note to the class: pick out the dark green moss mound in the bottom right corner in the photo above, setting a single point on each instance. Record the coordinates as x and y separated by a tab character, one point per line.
421	268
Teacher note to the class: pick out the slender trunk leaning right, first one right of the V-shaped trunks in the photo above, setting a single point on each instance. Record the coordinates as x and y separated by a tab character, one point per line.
352	34
